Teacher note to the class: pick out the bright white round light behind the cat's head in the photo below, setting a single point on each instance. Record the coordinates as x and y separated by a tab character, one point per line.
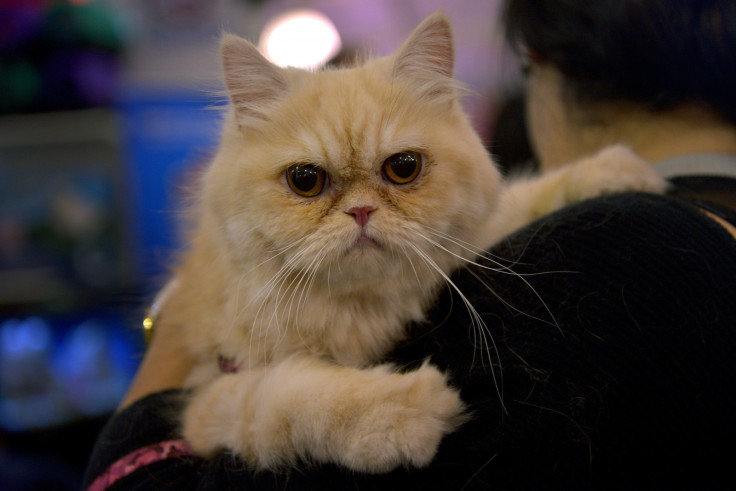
300	38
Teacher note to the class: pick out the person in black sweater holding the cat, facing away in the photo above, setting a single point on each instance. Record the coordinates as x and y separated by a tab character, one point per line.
614	341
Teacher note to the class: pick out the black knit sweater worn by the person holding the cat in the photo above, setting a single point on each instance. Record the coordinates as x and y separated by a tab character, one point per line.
615	358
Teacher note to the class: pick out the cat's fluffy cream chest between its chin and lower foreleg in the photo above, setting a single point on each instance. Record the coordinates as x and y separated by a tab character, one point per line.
353	327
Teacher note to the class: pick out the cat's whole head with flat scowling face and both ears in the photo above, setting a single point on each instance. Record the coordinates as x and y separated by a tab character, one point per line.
351	177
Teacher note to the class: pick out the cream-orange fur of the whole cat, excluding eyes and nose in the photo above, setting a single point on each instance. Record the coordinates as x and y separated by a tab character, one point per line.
284	286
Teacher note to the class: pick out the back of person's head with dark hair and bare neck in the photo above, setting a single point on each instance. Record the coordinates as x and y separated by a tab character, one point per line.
657	76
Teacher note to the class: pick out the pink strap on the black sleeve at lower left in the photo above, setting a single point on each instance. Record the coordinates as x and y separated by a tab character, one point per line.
140	458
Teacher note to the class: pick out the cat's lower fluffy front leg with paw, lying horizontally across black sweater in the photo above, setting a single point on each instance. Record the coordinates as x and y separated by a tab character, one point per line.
370	420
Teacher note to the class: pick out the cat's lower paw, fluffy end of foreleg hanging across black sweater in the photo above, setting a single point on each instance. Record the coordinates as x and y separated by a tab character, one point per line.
407	426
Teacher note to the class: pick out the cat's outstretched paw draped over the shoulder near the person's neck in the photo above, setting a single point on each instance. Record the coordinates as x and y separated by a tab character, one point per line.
614	169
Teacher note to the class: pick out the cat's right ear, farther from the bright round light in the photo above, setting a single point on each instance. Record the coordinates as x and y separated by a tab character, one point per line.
427	56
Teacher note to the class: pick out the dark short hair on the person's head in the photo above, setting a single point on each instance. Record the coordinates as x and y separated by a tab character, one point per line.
651	52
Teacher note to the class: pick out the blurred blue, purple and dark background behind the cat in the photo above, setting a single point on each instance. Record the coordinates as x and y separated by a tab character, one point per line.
106	106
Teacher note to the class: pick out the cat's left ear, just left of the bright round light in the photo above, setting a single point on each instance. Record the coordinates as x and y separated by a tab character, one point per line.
253	83
